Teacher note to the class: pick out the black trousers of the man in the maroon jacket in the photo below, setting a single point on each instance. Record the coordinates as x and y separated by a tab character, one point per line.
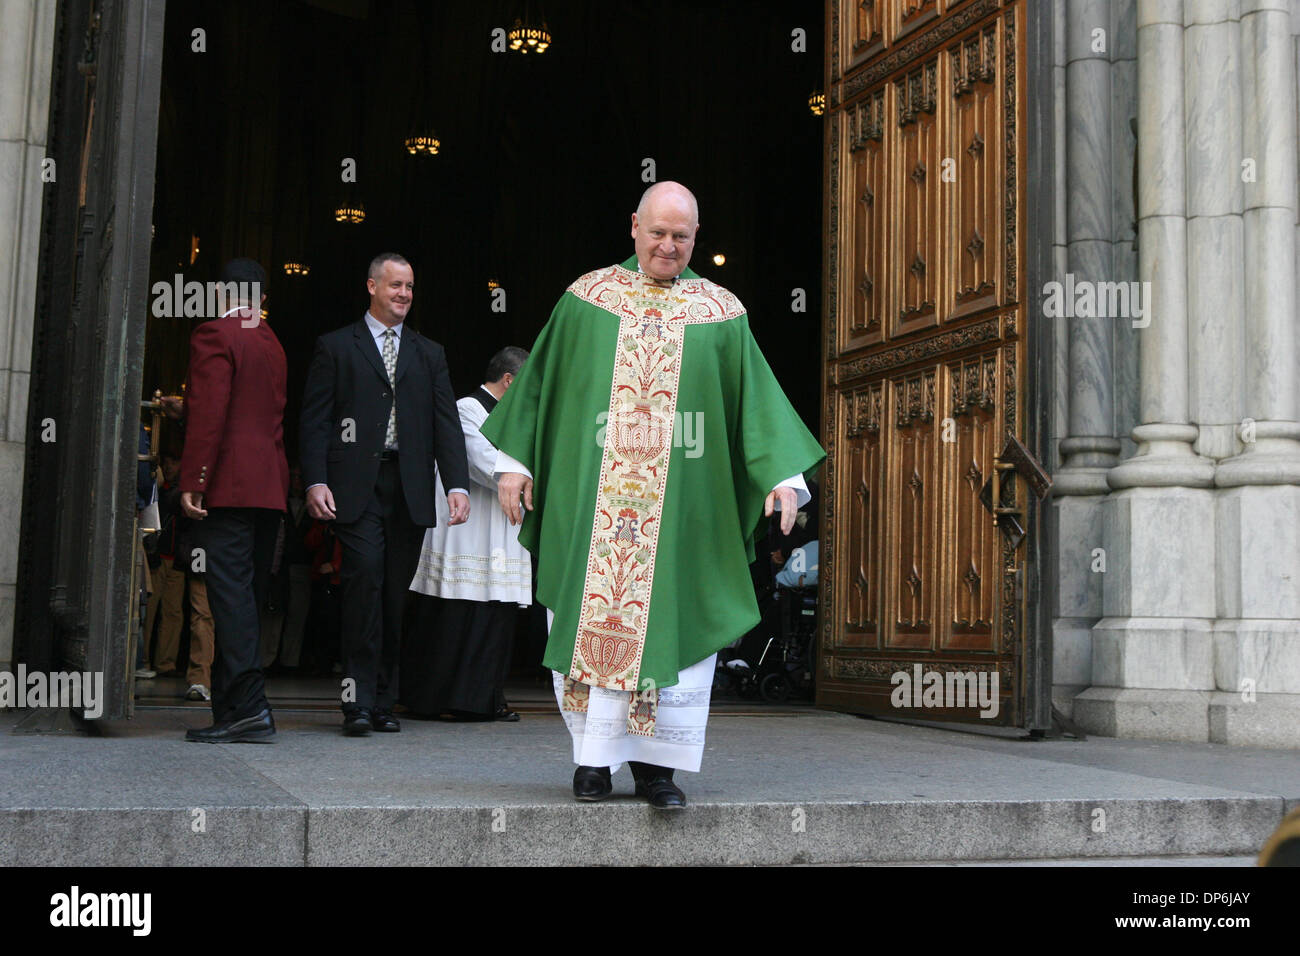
240	544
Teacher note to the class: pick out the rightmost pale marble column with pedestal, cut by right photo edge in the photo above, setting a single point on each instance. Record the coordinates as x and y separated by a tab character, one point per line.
1258	634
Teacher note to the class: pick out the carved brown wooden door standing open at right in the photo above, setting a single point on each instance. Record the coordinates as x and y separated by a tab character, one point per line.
926	360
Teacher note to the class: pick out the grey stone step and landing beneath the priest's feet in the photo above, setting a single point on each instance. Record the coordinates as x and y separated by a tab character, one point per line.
813	789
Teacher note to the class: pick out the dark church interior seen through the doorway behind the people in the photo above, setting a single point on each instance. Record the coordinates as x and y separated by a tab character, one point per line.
541	161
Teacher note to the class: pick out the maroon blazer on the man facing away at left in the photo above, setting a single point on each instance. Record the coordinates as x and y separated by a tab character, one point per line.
235	408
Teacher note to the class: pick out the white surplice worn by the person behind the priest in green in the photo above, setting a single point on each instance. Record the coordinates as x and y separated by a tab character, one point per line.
480	560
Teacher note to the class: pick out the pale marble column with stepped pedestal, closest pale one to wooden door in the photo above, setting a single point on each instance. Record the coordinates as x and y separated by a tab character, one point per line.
1152	651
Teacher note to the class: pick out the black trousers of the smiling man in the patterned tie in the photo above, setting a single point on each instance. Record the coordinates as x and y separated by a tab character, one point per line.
382	551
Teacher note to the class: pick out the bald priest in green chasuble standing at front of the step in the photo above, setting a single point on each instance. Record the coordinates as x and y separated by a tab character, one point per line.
644	447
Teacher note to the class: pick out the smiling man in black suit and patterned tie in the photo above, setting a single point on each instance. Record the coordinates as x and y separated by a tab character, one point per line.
369	461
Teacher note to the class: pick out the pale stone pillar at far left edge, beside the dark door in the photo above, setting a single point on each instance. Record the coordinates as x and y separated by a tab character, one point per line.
27	51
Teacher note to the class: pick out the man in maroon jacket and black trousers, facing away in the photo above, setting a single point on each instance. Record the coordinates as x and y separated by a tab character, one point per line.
235	483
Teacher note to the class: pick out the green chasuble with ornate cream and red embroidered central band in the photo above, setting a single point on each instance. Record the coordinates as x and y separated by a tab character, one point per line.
655	431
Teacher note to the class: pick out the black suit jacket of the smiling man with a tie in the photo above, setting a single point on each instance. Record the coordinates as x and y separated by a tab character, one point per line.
348	382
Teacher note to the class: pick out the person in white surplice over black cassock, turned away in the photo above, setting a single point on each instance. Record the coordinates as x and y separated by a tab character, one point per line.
457	652
